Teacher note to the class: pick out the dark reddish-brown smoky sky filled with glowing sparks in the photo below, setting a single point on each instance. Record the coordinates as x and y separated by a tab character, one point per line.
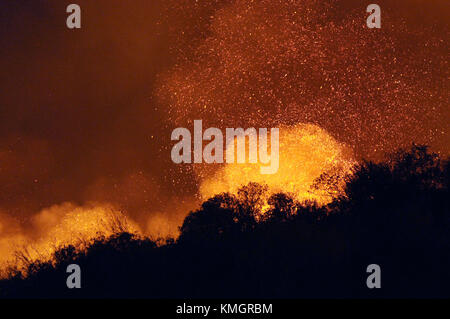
87	114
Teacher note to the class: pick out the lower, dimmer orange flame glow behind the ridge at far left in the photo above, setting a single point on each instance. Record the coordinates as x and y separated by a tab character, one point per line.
56	227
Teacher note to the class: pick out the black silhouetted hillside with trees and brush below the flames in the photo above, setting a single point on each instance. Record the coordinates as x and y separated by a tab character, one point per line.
395	214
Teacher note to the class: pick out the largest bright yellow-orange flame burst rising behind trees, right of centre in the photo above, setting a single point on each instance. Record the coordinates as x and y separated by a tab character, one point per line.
307	153
